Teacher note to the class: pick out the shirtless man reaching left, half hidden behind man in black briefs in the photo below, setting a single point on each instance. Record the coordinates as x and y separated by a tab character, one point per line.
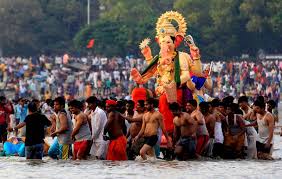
135	127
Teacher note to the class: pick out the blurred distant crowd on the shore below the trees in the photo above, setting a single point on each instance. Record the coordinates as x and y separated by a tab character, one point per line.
46	77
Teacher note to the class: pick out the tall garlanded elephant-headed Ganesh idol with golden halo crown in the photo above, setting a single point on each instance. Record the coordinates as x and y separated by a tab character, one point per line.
175	71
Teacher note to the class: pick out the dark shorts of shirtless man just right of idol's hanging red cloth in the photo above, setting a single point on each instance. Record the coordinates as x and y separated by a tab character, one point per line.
189	146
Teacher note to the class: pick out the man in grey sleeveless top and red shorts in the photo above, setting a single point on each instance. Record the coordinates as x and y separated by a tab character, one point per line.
81	133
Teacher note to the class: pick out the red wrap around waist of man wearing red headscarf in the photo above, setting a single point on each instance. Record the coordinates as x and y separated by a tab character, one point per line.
117	149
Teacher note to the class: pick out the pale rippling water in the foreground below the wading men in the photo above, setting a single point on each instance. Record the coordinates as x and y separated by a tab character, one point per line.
15	167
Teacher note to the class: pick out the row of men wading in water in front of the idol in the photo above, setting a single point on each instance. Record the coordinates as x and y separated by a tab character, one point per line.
114	129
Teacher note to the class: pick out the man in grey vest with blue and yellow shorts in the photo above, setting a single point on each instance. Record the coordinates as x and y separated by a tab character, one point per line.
61	144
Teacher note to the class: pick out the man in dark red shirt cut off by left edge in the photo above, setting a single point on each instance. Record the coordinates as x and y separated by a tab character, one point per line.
4	118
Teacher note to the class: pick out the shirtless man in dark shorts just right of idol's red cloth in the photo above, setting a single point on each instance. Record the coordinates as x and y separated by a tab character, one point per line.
185	128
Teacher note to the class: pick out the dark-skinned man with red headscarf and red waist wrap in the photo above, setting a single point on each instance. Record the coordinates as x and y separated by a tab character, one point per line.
114	127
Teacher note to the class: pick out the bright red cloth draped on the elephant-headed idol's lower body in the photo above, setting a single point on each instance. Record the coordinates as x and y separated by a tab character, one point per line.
167	114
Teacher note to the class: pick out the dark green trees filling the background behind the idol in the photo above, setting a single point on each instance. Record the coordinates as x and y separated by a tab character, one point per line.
221	28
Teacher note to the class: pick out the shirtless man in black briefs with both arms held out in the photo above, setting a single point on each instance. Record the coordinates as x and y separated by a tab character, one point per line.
152	120
